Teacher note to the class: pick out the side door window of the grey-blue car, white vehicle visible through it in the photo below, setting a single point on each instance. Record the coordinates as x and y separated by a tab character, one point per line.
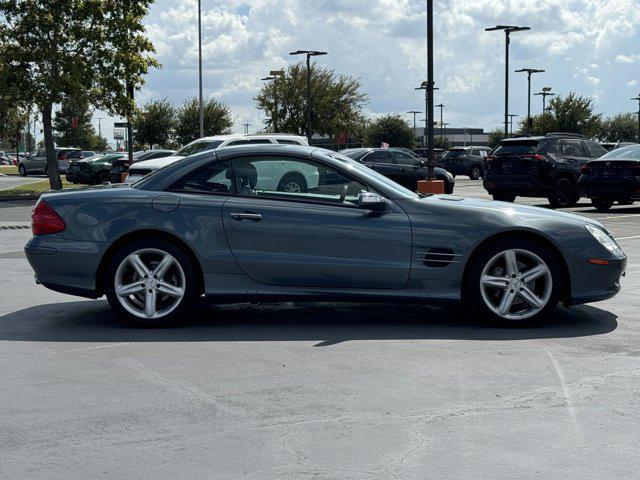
294	179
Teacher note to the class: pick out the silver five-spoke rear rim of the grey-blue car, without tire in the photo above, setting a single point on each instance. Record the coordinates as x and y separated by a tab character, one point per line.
150	283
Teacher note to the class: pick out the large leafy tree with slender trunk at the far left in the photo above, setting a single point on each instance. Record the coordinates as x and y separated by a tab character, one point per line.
54	49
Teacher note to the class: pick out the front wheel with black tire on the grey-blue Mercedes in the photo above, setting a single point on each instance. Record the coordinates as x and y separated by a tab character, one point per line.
487	297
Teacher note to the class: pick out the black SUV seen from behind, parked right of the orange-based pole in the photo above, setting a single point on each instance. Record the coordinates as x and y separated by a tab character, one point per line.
546	166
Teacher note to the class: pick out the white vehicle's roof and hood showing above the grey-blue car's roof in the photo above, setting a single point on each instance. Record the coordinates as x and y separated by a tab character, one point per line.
140	169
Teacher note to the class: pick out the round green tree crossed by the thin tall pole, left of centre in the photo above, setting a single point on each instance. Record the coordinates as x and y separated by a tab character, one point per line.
218	120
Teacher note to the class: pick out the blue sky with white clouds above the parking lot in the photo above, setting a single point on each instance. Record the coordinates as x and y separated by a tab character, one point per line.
591	47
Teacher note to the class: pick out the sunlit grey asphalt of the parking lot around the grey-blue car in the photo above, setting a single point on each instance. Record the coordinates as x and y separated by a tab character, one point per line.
320	391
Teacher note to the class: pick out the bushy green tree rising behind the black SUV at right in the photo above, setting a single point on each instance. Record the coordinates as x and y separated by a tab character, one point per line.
571	114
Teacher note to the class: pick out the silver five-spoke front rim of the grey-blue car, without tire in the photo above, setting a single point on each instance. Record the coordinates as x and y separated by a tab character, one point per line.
516	284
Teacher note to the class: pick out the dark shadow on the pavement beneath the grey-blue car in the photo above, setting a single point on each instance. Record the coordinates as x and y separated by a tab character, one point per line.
323	323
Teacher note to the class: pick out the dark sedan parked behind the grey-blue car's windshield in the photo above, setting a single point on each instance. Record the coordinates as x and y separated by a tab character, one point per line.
401	166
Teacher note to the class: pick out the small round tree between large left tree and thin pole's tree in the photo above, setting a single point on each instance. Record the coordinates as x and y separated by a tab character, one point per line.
153	125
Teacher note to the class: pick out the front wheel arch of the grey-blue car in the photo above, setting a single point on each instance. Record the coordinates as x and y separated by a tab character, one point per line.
536	237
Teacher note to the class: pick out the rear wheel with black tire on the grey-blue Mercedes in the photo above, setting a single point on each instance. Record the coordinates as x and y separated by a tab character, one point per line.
180	280
